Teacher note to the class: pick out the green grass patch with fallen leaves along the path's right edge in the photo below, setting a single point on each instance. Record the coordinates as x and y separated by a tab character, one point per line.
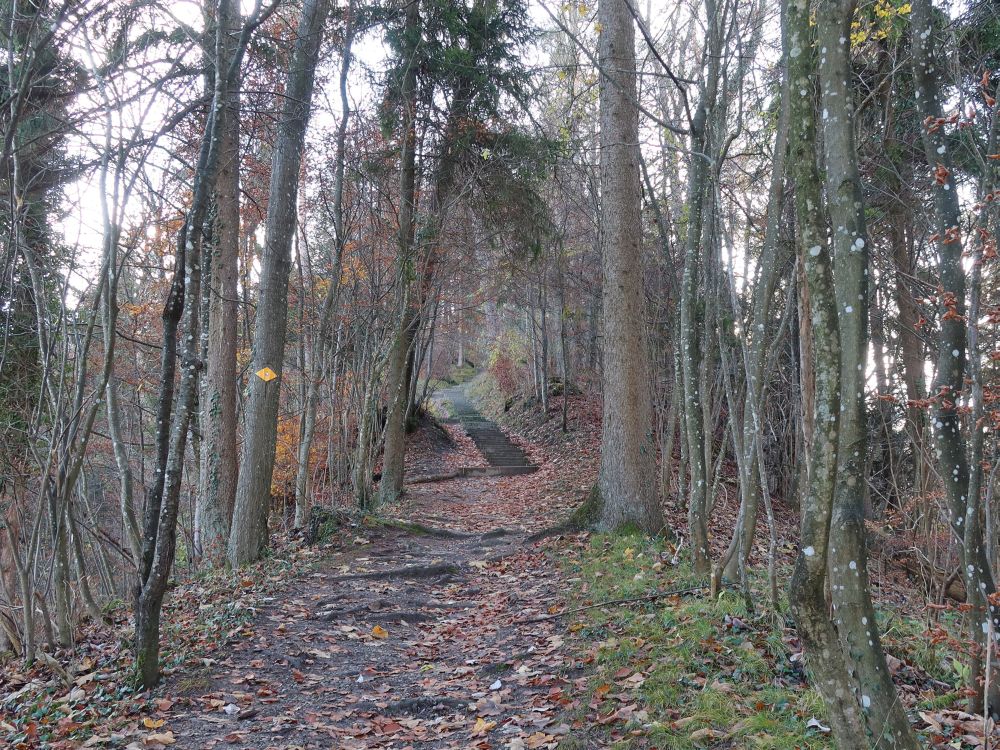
707	683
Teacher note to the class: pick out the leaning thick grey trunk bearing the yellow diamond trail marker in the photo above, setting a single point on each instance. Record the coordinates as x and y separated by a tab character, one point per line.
248	536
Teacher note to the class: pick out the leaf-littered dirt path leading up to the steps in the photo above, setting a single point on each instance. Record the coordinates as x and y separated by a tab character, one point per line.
407	637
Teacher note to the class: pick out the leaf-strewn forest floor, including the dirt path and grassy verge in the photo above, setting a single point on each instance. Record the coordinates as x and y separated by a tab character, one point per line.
442	624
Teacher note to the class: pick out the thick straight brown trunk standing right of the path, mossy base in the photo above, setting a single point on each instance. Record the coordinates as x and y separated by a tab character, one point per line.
627	481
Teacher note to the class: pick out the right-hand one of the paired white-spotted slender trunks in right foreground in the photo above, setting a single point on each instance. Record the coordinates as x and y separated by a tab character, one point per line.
887	722
